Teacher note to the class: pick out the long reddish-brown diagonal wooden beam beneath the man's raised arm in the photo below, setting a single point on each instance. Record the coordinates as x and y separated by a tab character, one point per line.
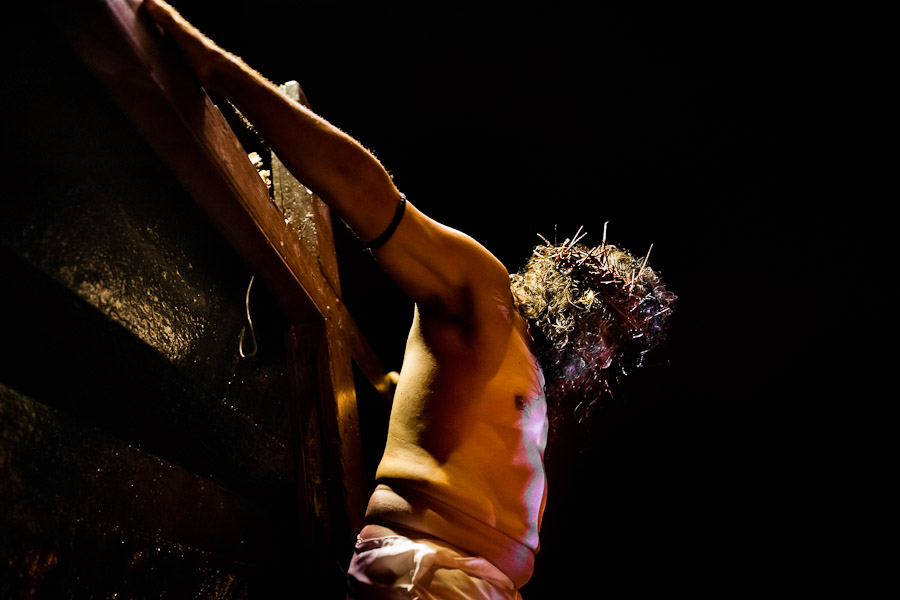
169	107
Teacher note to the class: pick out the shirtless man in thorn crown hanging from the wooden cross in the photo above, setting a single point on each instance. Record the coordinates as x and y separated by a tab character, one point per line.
461	487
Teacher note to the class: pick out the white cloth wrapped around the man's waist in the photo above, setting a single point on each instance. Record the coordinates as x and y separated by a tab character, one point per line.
397	567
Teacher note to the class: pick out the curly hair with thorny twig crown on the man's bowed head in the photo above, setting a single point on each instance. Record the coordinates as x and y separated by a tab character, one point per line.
594	314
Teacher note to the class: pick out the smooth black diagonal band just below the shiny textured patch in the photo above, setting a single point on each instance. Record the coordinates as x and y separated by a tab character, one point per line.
73	358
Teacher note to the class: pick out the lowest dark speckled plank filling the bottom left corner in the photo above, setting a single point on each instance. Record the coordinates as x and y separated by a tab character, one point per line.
87	515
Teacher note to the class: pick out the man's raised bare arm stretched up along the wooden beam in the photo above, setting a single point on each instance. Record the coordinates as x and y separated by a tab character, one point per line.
431	263
